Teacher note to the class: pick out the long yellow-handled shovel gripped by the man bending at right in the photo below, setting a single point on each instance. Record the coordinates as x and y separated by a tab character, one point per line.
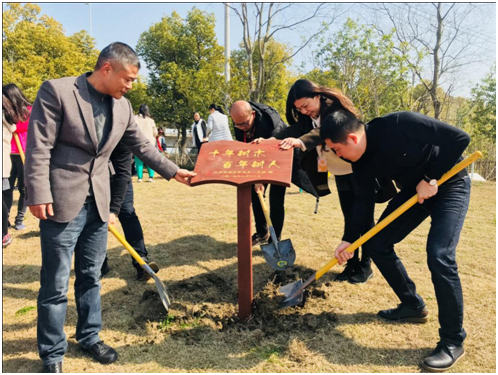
294	292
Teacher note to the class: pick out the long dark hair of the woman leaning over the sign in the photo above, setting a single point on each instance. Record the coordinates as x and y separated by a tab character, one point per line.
330	100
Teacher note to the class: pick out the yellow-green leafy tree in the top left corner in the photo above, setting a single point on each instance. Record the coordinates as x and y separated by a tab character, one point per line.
36	49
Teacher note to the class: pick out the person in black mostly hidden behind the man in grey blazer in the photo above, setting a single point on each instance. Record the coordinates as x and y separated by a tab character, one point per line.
122	206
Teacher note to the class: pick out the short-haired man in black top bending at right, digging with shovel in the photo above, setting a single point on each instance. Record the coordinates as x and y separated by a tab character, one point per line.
415	151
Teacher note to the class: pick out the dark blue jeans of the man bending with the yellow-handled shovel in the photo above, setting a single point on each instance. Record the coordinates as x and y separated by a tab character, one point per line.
447	210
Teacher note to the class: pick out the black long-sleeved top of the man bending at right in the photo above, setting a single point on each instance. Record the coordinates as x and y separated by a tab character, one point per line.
405	146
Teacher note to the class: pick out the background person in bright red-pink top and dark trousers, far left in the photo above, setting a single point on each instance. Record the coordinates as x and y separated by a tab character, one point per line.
21	110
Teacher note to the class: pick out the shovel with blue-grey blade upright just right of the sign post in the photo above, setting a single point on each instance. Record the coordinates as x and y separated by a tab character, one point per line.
280	255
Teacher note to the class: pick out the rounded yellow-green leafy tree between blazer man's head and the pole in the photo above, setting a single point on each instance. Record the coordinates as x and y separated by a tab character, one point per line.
186	67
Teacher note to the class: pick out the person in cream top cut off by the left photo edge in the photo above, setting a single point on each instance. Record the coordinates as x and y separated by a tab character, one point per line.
8	127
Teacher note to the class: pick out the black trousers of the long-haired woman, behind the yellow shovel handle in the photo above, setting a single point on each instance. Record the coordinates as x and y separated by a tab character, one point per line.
348	190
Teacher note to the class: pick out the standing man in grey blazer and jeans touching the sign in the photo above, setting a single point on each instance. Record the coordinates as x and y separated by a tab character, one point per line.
75	124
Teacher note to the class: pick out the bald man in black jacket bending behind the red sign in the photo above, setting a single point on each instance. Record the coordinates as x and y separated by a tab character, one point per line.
255	120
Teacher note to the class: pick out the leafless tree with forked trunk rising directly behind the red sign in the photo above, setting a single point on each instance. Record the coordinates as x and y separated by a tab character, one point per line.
269	19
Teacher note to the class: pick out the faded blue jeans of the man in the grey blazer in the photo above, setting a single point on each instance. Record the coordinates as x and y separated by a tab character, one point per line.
86	237
